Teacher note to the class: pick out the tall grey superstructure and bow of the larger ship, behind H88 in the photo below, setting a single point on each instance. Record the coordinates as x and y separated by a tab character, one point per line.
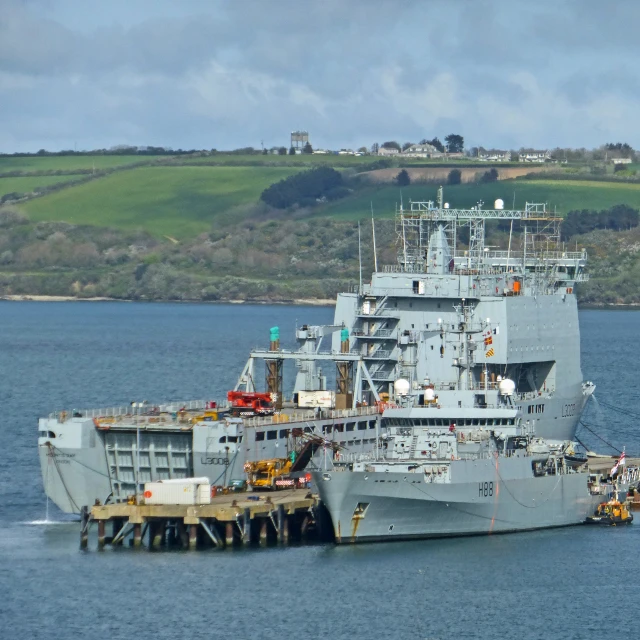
454	322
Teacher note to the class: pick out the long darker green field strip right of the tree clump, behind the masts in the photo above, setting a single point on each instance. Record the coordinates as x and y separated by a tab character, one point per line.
561	196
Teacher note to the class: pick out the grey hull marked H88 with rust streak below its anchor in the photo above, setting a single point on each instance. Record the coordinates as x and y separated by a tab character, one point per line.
408	507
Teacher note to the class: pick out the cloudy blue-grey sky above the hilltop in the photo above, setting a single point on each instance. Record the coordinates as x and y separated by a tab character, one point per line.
232	73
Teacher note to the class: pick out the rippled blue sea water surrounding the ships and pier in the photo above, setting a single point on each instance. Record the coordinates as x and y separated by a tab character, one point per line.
578	582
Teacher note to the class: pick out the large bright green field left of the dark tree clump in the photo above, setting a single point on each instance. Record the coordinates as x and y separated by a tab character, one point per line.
174	201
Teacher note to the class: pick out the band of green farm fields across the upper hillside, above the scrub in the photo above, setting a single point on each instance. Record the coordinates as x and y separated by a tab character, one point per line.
183	196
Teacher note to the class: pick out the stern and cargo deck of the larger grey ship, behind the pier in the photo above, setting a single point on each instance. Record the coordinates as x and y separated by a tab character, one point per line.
89	455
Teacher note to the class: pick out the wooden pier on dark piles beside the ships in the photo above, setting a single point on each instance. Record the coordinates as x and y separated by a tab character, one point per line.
232	520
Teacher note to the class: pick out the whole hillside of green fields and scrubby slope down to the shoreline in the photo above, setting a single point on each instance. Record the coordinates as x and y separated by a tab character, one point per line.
193	228
